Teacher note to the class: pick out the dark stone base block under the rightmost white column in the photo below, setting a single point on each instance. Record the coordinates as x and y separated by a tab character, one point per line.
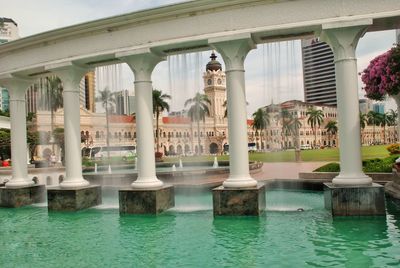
364	200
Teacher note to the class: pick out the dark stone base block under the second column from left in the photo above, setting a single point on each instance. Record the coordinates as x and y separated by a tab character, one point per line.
74	199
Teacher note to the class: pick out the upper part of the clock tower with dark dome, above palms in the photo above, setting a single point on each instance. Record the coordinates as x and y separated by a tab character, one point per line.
215	87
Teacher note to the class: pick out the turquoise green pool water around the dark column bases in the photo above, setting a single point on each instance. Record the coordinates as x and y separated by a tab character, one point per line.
189	236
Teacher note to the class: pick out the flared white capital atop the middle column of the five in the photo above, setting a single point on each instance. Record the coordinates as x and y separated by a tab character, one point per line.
142	62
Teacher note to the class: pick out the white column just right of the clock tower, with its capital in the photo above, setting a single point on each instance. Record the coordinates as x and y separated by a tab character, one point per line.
234	53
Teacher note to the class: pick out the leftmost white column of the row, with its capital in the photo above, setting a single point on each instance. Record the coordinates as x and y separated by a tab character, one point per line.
17	88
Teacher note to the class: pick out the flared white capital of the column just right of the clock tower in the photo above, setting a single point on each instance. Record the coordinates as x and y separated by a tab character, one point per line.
233	49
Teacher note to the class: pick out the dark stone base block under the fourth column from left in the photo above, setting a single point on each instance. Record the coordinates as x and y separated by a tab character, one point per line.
239	201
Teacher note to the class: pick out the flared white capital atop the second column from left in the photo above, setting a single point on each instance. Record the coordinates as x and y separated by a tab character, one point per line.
69	73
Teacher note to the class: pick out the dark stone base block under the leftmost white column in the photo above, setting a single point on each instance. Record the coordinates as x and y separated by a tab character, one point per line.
23	196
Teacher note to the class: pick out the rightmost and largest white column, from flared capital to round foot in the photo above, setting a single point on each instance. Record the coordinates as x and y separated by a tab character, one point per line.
343	39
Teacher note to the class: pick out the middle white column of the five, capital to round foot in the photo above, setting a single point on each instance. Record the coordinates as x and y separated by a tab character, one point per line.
142	64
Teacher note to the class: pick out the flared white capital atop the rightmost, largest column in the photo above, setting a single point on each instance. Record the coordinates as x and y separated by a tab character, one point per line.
343	37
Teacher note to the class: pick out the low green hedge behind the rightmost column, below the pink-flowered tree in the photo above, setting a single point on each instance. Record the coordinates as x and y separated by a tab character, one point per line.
371	165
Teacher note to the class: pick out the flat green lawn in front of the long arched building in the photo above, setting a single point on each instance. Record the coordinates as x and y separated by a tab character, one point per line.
368	152
